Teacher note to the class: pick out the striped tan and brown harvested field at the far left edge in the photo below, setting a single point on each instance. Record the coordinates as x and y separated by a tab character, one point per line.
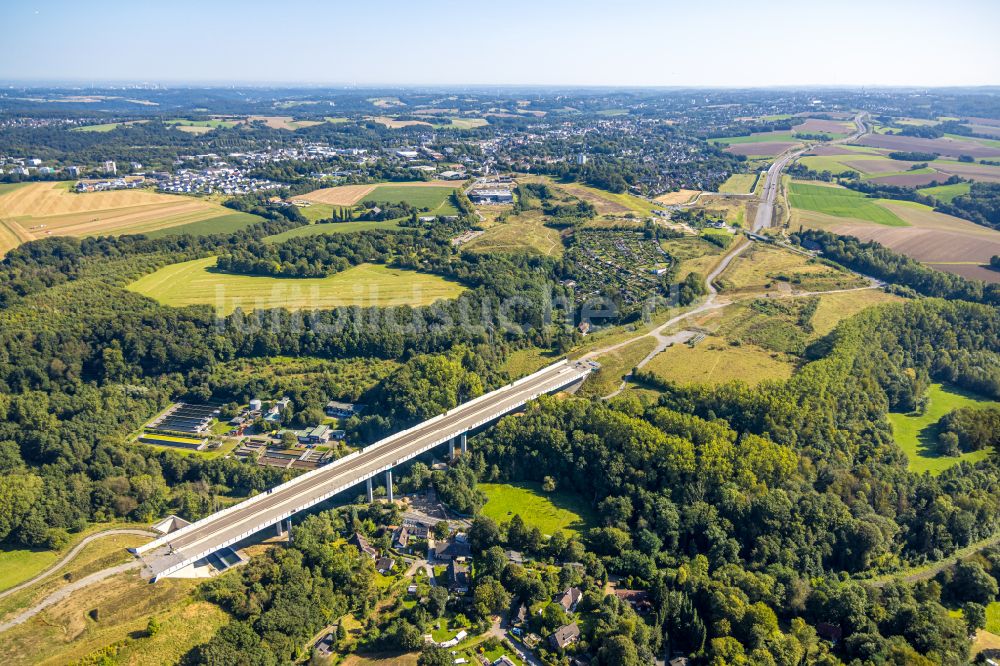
38	210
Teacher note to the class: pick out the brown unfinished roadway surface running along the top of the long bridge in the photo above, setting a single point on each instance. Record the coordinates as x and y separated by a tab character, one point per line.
308	489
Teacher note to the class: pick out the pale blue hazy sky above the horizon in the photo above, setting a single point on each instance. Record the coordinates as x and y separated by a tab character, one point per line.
573	42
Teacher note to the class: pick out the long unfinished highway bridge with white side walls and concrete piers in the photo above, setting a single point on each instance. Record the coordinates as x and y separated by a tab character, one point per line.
172	552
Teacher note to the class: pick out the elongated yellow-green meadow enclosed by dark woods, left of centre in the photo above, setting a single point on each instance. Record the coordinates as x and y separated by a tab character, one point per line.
197	283
